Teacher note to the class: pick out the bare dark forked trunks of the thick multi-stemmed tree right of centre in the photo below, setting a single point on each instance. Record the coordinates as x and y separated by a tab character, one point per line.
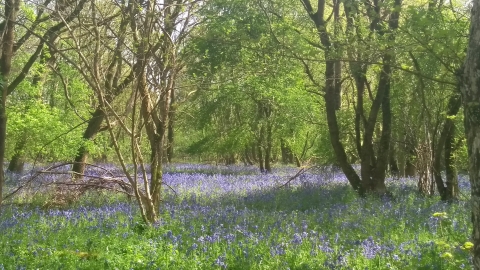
372	175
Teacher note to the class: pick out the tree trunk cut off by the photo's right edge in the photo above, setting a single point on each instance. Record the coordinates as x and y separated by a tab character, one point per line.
471	101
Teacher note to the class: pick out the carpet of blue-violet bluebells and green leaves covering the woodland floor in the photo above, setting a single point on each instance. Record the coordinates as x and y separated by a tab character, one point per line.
236	218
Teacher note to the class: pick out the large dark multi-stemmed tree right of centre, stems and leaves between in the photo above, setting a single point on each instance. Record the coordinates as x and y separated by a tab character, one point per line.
373	163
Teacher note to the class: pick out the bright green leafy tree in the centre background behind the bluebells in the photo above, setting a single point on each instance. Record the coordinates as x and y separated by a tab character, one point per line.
249	98
